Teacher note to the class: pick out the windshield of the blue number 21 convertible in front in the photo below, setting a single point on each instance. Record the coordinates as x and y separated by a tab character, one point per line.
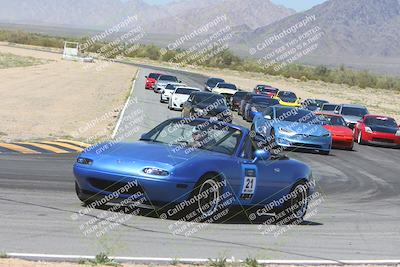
185	136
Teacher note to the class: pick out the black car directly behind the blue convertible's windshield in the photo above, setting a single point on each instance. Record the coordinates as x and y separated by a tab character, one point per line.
207	105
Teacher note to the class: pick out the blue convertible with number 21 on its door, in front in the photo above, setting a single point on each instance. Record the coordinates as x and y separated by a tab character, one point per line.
184	162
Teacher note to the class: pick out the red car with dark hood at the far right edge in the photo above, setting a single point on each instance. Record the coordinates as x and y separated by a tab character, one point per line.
380	130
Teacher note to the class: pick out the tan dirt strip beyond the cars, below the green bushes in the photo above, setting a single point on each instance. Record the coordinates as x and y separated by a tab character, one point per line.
378	101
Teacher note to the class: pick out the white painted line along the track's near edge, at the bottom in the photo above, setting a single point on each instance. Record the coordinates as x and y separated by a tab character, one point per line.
194	260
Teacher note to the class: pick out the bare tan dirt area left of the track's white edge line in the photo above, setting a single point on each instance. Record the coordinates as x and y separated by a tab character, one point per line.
61	98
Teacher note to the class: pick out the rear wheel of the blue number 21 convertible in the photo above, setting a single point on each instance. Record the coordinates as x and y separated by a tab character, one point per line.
295	208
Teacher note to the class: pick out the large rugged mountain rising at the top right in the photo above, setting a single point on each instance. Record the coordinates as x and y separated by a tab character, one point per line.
359	33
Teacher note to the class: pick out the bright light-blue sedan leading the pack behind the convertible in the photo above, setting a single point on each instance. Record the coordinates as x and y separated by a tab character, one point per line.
288	127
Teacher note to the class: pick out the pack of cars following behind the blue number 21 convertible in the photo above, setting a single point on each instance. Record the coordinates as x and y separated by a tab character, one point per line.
279	119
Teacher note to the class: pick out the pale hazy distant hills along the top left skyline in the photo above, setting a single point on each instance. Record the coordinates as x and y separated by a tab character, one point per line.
173	18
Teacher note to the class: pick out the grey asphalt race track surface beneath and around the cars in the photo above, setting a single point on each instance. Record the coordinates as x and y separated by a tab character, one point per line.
357	219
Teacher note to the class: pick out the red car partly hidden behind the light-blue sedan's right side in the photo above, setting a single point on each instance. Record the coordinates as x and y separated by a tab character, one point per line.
342	136
